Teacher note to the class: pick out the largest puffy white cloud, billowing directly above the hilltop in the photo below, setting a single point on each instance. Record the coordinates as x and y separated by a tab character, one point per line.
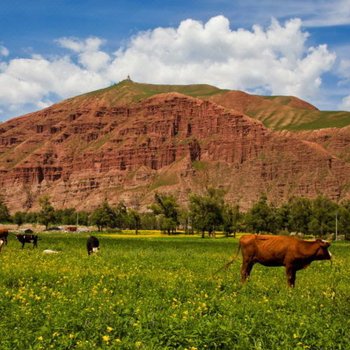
275	60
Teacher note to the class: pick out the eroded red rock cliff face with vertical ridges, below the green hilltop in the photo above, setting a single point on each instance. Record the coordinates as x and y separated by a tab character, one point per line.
80	154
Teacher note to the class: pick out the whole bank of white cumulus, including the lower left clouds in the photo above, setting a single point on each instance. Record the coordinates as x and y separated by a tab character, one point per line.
272	60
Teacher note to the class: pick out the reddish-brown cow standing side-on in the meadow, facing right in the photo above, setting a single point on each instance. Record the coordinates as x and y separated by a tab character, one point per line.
292	253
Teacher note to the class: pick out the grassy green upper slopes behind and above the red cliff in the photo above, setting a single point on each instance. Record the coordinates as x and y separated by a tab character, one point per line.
276	112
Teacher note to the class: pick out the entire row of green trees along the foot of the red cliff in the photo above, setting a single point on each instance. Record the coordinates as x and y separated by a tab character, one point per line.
206	213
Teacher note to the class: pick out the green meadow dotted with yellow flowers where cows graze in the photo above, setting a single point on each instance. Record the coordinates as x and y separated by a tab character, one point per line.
159	293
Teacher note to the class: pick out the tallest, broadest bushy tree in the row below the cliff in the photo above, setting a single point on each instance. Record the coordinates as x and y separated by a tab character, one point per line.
207	211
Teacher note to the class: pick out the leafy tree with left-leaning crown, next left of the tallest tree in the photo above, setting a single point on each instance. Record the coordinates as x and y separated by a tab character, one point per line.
167	208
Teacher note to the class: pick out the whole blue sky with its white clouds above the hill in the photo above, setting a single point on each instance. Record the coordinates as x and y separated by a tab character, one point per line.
54	49
